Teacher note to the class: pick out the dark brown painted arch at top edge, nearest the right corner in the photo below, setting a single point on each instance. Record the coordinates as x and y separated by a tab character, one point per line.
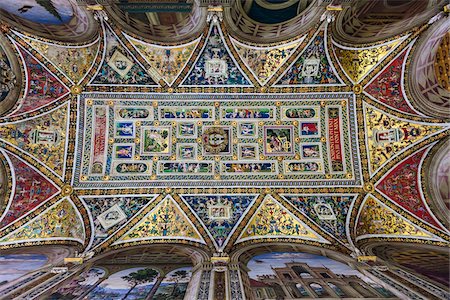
371	21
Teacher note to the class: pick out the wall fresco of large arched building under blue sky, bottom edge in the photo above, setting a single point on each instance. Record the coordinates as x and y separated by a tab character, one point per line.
294	275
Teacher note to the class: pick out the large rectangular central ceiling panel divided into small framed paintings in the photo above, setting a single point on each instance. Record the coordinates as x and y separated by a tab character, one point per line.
217	139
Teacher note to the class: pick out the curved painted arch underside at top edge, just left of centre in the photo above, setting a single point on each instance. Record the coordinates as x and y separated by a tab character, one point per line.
181	28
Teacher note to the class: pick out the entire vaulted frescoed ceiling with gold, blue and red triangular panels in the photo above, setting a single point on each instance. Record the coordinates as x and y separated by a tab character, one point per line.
215	141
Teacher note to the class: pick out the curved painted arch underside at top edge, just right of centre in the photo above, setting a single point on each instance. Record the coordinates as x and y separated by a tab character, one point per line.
240	24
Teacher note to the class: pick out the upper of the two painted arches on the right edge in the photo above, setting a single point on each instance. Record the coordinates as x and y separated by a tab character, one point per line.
427	94
